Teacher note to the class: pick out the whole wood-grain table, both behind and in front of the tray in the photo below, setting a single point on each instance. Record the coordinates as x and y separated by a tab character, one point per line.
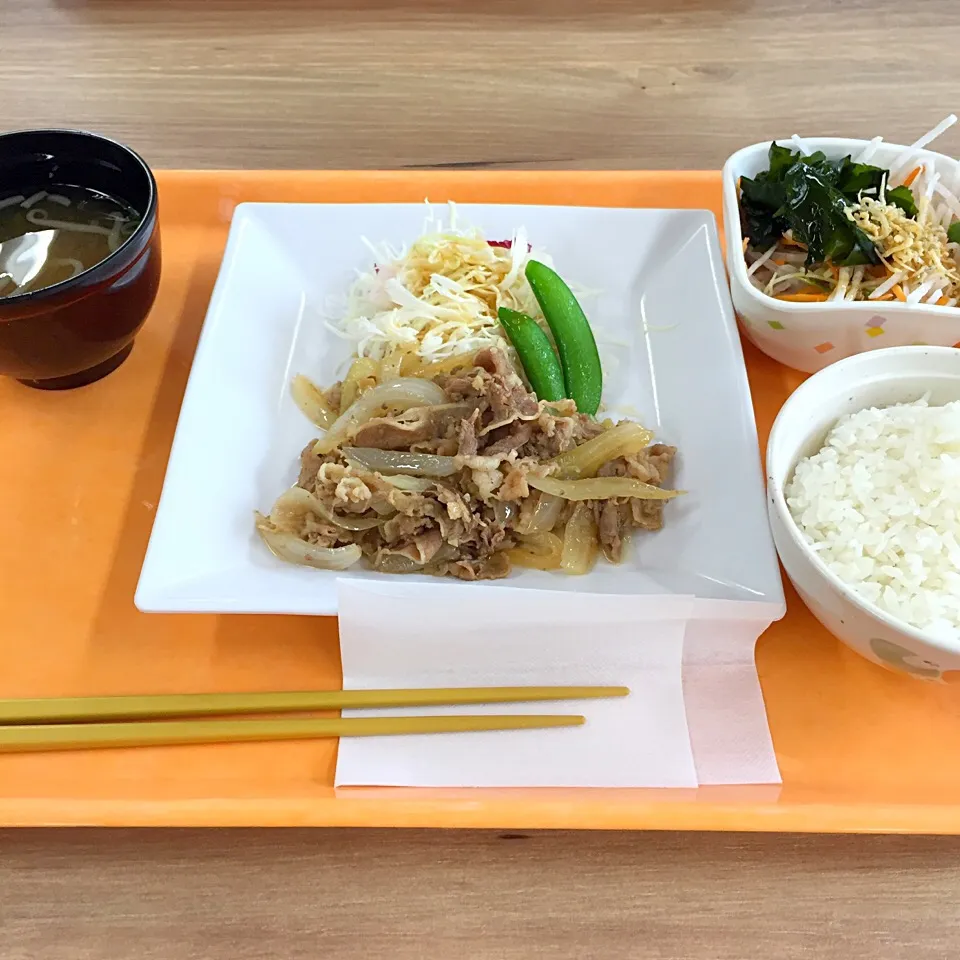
574	83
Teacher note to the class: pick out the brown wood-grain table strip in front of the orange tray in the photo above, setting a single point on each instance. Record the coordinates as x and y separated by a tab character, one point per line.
303	895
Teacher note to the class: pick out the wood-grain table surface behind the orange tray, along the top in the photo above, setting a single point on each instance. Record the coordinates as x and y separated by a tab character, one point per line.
391	83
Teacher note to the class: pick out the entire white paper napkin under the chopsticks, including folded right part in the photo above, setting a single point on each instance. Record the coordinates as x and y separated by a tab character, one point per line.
695	713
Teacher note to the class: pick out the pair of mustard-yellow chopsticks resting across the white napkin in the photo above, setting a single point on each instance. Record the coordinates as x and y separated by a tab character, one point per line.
82	723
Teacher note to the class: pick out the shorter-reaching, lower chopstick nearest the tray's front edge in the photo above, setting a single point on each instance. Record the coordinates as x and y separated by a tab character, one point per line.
88	736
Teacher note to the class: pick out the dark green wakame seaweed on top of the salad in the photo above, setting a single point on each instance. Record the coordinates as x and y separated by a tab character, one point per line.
809	196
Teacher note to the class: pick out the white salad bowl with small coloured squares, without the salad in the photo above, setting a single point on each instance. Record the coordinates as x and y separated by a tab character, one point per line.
810	336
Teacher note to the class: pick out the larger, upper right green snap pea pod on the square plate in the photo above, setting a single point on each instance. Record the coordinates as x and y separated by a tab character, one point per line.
579	358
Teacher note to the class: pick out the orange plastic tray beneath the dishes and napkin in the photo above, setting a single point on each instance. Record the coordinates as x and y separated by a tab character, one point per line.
860	749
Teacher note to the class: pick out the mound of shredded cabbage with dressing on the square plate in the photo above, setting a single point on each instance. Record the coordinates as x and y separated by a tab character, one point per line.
440	296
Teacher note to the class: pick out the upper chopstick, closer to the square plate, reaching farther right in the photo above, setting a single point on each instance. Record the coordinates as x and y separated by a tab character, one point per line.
162	706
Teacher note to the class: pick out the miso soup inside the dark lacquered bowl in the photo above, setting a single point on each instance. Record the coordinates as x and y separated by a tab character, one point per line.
48	236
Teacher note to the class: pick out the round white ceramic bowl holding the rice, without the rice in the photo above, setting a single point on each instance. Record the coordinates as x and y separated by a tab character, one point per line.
880	378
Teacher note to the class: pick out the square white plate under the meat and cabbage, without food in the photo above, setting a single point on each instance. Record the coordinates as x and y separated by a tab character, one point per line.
674	362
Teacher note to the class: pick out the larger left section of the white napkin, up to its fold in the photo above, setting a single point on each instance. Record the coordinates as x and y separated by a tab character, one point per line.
441	635
